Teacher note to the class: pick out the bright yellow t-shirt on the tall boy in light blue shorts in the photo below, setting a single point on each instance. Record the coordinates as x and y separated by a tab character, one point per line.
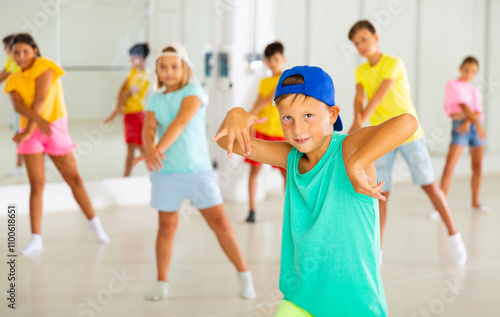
398	99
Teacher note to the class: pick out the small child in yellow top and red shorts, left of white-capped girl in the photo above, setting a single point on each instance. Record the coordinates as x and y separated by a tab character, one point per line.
131	102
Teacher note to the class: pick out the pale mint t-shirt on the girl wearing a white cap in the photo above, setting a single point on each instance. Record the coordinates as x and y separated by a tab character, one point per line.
189	152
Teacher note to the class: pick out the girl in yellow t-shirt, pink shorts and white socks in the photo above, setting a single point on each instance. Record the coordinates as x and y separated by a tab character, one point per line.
36	93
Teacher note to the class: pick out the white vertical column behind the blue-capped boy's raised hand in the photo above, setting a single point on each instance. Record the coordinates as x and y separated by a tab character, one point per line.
237	29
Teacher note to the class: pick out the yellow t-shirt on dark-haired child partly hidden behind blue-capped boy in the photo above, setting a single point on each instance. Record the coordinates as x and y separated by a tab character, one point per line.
272	127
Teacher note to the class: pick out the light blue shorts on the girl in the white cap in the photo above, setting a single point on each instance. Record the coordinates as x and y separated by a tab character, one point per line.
170	189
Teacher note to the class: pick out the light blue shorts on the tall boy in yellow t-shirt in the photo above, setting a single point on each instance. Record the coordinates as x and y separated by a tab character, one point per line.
417	158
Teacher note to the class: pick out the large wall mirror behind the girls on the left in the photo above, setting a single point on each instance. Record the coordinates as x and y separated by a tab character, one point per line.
90	40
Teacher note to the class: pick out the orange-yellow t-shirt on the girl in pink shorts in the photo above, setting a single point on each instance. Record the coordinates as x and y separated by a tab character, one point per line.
23	82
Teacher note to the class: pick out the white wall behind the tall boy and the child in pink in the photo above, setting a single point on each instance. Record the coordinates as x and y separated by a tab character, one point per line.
432	37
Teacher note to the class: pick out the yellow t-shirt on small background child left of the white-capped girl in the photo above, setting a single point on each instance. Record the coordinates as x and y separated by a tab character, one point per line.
138	83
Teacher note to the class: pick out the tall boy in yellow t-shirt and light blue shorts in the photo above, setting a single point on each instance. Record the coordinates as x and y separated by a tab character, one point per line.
385	81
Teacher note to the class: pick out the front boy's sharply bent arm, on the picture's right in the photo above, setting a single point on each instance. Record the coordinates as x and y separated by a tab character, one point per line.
366	145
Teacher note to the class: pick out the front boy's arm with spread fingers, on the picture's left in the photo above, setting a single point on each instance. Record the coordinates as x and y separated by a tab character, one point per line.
235	128
